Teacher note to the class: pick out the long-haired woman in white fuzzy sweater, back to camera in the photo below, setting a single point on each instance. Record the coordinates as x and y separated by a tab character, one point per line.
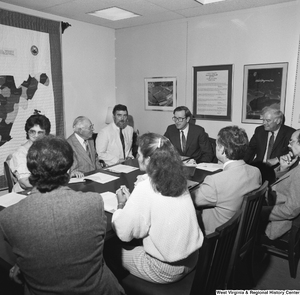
161	212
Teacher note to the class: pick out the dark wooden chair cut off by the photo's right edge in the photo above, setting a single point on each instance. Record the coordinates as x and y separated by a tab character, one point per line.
286	246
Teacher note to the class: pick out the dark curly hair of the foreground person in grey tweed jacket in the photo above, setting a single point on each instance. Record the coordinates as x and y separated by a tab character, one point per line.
48	161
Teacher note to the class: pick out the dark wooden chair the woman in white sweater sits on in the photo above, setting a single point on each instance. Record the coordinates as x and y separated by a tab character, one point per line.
209	274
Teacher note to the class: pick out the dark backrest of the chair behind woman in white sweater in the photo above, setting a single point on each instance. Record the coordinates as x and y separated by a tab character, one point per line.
214	256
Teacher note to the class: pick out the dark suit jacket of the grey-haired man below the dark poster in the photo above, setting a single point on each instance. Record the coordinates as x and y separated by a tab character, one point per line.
258	144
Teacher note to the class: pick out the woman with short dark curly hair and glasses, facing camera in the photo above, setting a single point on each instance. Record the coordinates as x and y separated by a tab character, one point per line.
37	126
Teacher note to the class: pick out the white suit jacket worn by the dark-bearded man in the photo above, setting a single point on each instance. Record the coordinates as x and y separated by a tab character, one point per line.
109	146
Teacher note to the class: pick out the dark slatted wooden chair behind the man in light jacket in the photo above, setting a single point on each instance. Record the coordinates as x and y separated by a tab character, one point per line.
243	249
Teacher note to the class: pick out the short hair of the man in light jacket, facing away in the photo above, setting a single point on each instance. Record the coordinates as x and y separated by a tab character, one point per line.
235	142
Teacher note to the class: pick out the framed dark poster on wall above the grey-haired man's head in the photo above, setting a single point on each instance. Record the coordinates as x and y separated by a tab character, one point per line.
264	85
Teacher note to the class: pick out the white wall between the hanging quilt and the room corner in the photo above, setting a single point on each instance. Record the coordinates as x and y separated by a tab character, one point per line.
88	68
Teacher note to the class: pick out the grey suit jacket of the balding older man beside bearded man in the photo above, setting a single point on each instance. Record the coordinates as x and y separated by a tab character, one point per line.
82	162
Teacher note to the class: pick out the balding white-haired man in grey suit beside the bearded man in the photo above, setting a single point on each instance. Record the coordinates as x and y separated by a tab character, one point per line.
85	156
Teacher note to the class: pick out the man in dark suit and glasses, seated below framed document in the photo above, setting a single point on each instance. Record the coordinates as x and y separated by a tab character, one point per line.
190	140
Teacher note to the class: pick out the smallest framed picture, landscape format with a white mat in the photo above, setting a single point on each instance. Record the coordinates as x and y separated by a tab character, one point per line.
160	94
